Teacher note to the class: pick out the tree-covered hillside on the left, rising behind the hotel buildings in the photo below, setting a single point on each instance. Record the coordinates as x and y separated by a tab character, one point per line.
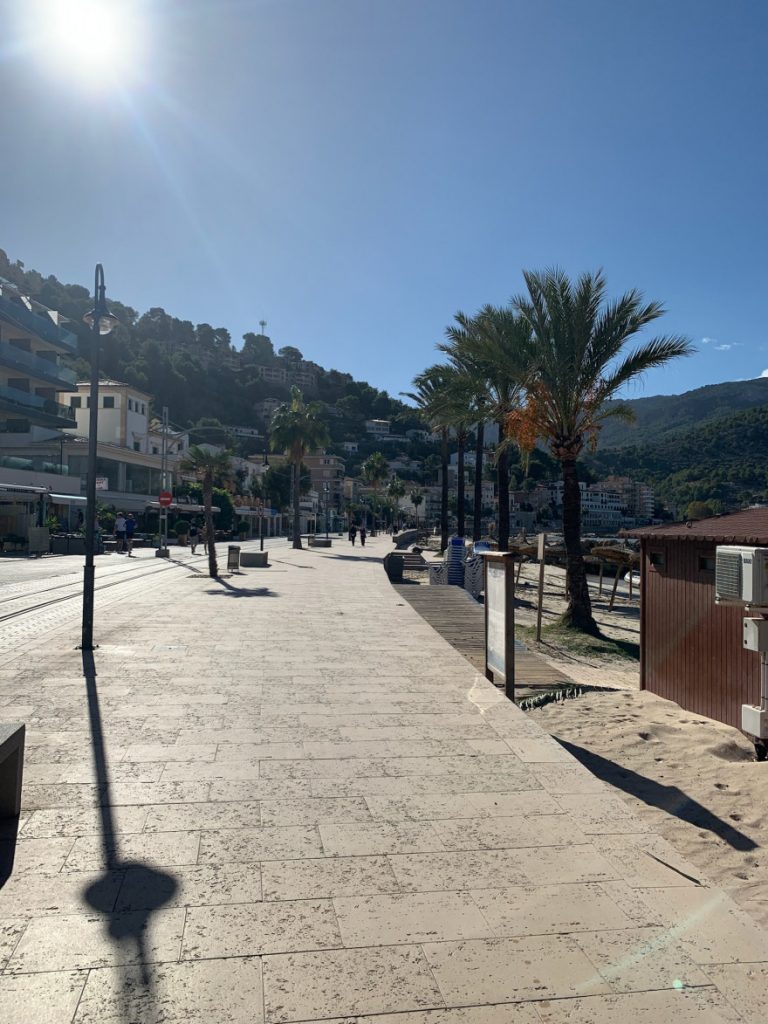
196	370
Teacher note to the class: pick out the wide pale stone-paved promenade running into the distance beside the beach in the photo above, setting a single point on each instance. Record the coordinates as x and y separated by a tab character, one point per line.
283	797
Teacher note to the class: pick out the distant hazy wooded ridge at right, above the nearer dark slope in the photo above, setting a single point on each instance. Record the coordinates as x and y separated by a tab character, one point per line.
664	415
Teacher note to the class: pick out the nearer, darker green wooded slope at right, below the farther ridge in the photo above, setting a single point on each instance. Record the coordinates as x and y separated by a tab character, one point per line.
722	462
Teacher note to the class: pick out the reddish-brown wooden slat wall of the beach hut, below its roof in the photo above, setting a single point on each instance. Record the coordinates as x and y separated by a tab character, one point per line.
693	652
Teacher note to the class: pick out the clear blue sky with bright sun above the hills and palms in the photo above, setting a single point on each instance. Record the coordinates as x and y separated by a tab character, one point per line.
355	172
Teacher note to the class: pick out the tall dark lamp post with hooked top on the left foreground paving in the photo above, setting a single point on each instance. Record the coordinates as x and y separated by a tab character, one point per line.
101	321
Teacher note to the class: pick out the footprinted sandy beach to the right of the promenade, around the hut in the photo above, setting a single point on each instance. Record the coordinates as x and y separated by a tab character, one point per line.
694	781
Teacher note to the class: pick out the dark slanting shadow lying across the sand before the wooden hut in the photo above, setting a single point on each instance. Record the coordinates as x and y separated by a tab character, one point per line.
667	798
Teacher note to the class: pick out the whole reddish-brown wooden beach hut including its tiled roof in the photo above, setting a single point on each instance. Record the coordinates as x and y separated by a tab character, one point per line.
692	650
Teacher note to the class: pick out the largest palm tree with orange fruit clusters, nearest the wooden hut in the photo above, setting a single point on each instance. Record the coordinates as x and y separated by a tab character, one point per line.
578	368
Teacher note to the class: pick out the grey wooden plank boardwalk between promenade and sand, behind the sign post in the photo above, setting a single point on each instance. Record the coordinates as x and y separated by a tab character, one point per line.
460	620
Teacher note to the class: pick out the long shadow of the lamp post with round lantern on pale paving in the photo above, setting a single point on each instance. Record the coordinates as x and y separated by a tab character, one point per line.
131	927
